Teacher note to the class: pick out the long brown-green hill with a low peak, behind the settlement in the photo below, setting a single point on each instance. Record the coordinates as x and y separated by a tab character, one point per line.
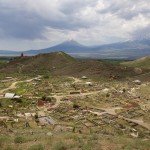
66	65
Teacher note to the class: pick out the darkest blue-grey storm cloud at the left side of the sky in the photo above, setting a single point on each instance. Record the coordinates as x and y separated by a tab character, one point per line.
20	24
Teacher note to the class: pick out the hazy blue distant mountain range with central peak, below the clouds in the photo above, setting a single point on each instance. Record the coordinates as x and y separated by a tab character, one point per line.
125	50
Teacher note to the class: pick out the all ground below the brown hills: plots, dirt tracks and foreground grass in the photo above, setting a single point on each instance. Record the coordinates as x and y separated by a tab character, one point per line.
73	112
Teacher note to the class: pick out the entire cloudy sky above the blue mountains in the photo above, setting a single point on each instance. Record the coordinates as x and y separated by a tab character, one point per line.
36	24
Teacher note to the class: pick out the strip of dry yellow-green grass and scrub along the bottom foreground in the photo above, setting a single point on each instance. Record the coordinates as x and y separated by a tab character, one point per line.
69	141
